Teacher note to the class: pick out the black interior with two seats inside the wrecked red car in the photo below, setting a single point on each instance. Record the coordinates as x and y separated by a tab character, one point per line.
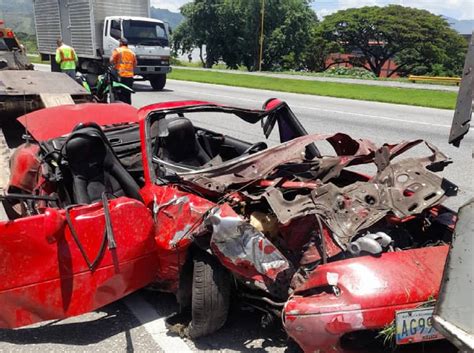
93	160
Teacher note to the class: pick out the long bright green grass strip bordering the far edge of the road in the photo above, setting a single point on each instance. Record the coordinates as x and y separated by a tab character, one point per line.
407	96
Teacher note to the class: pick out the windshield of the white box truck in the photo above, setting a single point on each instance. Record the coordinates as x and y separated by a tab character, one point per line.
145	33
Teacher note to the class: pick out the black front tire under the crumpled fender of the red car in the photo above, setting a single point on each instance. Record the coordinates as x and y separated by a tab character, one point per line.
210	295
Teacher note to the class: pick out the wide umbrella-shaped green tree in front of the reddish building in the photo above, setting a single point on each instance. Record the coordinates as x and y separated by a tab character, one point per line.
414	38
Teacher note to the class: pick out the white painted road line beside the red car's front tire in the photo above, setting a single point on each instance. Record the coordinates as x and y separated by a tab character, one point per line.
154	323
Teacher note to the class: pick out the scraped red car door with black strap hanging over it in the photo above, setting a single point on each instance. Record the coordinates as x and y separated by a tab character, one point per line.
44	267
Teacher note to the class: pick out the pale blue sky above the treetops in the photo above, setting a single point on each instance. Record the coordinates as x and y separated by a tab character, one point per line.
459	9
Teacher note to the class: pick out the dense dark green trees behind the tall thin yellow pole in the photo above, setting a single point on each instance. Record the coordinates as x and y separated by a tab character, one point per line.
230	31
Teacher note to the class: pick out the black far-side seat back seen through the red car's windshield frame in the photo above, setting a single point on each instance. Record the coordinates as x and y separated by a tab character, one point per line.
181	144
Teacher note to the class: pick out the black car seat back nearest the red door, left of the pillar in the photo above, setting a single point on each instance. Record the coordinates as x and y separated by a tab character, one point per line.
95	168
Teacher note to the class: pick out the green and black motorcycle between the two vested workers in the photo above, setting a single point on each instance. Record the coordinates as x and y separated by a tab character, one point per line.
105	87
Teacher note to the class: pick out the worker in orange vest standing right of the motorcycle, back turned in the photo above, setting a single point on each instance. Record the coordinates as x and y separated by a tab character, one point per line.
125	61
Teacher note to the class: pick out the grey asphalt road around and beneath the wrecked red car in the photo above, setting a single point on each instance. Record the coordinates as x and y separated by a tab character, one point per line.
136	324
